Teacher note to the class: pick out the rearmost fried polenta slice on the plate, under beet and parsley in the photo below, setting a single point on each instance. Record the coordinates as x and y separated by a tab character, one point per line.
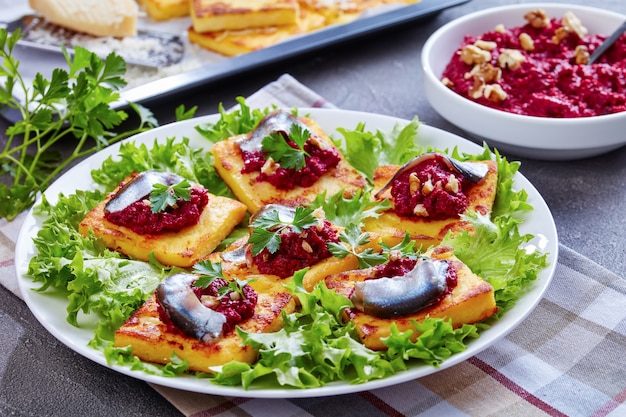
256	194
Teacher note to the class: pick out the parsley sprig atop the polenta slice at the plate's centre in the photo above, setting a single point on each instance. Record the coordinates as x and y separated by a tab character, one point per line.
267	228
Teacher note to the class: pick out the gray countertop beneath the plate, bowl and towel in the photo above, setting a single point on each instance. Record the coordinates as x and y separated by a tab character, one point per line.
379	73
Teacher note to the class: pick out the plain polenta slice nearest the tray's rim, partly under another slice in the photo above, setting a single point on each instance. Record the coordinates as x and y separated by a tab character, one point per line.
237	42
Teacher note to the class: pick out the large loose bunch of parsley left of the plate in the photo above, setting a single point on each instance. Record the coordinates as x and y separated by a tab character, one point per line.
73	107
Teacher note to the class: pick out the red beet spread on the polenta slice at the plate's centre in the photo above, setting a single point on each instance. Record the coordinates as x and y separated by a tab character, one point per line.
297	251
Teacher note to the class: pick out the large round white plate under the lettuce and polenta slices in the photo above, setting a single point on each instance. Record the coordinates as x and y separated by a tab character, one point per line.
51	310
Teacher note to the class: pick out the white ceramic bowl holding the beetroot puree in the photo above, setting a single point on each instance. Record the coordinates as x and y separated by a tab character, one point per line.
526	136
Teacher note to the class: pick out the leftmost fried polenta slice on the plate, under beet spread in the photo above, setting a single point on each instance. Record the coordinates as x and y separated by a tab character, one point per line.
180	248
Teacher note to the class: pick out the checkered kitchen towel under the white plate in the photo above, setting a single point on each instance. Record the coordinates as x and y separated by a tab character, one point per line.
568	358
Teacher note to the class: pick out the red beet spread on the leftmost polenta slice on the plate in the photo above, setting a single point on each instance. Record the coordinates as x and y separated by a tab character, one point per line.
139	217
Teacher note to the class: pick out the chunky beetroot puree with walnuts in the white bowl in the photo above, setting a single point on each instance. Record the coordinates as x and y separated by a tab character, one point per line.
549	83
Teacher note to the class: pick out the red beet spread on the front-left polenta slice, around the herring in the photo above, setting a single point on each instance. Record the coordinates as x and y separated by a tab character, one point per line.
236	308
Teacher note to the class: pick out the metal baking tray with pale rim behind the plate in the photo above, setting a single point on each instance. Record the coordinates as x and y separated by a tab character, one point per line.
224	67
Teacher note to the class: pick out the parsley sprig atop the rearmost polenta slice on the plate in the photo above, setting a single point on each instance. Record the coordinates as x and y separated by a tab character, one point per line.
276	146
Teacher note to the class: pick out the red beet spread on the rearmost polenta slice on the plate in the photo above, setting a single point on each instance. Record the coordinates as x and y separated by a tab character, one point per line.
319	162
